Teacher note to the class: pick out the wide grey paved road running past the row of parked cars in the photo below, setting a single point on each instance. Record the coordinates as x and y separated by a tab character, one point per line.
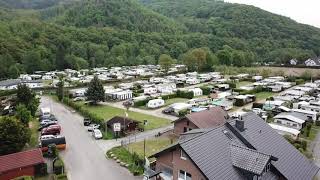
84	158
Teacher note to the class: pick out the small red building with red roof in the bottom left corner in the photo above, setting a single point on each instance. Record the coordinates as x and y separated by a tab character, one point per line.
25	163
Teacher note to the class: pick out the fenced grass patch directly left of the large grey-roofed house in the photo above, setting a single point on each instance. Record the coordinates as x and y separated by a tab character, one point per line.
152	146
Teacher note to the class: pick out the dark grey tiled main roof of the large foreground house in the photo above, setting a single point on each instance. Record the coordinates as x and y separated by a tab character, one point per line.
211	151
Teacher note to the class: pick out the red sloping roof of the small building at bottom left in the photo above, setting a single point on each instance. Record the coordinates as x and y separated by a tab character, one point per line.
20	160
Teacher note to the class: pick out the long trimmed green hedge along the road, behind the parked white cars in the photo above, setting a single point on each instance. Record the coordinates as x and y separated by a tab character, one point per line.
94	118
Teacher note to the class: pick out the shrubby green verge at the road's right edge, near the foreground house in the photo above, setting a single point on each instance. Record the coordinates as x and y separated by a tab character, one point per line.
134	162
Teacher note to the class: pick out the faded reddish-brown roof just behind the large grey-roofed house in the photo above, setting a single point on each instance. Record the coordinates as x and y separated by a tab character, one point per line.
209	118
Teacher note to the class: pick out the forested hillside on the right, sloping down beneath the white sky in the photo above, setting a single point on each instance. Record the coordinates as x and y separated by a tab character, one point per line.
265	32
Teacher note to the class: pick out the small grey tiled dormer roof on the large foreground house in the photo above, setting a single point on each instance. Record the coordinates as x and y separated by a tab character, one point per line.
248	159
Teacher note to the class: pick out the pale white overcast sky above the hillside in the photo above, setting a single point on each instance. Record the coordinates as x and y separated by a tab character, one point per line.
303	11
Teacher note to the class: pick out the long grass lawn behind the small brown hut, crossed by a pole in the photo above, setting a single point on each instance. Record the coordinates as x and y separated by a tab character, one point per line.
108	112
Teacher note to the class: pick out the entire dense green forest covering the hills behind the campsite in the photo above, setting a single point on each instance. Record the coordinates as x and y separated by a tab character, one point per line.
49	35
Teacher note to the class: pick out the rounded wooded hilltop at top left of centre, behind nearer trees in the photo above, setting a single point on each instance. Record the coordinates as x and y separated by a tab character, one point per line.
121	14
